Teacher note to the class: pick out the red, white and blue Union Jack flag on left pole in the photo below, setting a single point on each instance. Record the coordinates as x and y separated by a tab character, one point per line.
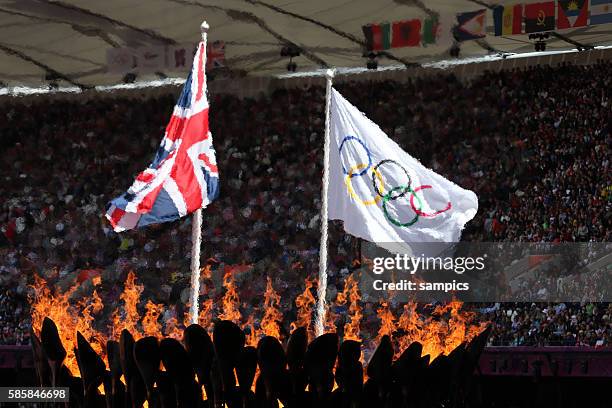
183	176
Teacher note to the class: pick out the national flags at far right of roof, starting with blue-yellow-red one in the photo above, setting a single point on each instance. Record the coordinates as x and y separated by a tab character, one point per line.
550	15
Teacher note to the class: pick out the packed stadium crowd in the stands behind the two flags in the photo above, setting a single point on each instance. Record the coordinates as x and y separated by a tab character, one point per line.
533	144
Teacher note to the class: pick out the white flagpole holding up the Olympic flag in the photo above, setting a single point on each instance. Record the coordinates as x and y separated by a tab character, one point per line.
322	286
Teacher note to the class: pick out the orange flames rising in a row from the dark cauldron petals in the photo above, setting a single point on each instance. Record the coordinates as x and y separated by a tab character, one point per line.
440	331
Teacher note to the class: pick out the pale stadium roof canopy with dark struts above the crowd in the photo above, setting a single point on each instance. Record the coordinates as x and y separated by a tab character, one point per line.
86	43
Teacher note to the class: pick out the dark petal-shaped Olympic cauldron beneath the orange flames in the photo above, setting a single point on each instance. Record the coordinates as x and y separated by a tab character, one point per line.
221	371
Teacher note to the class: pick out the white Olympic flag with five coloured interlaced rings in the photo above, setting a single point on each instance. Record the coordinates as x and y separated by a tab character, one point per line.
384	195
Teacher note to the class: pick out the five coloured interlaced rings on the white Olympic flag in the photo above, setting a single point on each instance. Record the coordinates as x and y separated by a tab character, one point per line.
393	194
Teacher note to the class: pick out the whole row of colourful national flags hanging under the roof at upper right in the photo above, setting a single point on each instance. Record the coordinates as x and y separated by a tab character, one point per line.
508	19
